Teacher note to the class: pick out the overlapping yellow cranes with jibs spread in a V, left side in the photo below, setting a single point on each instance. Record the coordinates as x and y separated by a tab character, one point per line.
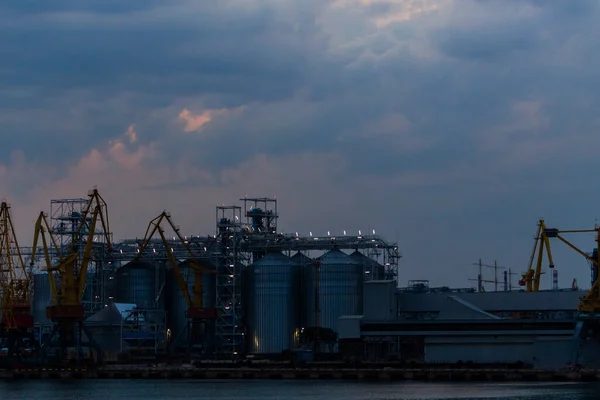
68	276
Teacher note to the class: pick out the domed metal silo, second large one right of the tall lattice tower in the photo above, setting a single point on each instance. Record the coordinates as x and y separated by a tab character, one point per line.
339	288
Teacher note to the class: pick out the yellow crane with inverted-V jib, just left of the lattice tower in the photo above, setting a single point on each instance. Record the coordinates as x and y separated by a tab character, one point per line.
191	288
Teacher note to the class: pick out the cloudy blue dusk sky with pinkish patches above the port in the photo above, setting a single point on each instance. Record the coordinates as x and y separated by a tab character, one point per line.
448	126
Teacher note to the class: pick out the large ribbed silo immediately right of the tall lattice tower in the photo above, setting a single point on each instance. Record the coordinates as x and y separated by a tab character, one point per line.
273	309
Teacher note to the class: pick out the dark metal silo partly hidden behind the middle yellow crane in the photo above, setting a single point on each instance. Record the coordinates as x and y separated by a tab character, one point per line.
177	306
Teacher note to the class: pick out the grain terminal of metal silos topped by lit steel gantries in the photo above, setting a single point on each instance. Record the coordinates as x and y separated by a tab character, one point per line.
246	290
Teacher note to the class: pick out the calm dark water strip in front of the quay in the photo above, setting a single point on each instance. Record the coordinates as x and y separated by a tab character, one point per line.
317	390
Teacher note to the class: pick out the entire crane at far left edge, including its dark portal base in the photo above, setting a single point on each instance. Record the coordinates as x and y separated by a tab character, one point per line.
16	338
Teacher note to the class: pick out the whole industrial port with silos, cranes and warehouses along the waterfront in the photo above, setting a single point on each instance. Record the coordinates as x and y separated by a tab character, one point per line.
249	295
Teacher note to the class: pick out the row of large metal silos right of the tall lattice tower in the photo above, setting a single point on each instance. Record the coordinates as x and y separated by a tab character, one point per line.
284	294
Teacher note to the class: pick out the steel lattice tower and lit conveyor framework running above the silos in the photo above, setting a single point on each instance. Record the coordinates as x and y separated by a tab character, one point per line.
243	234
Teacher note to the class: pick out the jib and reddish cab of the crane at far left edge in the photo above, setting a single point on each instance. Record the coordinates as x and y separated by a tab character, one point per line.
14	279
